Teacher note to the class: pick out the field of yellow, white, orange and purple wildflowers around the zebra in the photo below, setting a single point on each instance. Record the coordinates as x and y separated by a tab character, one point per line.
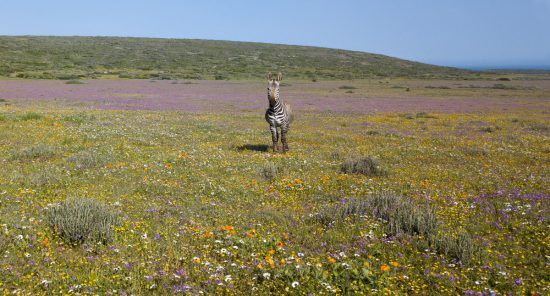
205	207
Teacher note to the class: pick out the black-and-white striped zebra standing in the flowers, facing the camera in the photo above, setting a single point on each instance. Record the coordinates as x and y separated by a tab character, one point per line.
278	114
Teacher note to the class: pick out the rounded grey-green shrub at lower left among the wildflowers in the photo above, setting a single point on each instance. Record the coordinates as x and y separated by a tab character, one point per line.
82	220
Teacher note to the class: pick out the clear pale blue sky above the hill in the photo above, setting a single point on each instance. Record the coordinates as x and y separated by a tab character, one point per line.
461	33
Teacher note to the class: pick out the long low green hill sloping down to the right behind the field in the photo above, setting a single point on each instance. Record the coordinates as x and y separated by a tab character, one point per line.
94	57
